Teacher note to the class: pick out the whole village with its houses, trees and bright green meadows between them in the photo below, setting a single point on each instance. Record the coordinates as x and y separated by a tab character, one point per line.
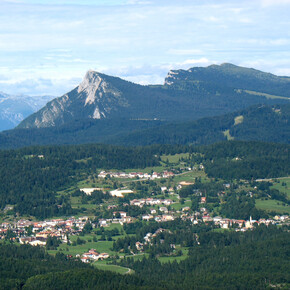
146	198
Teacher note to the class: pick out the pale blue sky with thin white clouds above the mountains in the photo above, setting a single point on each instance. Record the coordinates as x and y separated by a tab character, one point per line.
46	46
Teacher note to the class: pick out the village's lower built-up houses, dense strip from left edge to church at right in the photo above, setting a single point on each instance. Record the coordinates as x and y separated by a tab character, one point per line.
37	233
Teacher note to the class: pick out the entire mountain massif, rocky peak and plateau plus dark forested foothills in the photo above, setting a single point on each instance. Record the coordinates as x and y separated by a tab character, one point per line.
195	106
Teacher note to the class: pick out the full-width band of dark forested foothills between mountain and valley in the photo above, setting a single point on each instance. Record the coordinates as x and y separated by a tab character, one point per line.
264	123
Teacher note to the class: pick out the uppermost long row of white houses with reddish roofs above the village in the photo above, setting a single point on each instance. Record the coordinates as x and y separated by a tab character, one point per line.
154	175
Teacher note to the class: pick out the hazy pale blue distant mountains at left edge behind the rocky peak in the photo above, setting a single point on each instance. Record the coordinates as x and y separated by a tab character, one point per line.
13	109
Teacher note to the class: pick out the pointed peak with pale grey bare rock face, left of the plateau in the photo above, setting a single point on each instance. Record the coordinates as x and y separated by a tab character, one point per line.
94	98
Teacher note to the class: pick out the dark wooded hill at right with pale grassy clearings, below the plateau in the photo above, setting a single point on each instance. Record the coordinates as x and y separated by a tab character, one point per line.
264	123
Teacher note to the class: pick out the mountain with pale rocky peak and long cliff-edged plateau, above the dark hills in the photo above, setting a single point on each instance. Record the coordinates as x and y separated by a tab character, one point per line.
185	95
